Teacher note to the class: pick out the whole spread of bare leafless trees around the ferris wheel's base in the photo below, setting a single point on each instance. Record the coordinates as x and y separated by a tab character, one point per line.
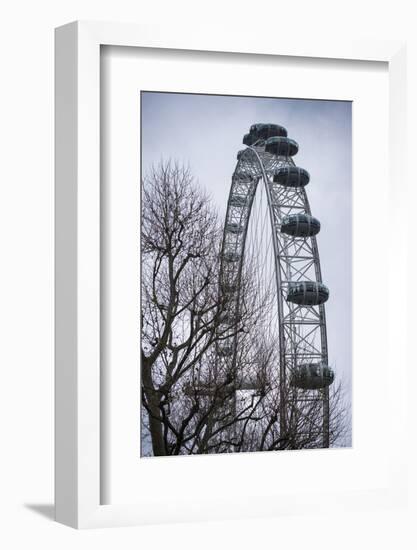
194	400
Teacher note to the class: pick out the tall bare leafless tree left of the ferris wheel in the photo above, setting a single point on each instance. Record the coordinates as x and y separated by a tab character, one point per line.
180	304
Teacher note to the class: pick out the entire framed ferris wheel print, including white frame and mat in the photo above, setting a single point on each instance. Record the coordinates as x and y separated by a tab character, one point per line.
219	314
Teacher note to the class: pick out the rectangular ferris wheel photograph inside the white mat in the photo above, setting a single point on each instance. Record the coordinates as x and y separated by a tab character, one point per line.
245	274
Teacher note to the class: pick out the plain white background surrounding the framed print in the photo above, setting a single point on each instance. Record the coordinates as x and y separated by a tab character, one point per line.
26	305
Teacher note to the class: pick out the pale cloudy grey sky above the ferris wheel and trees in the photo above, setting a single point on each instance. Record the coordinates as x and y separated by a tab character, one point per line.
206	132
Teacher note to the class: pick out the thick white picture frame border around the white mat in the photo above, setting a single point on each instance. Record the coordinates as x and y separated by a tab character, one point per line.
78	501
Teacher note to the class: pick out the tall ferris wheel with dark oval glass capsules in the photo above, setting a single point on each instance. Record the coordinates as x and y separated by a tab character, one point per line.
270	233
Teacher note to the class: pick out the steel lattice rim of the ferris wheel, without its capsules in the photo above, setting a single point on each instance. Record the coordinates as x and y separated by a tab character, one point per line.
302	329
